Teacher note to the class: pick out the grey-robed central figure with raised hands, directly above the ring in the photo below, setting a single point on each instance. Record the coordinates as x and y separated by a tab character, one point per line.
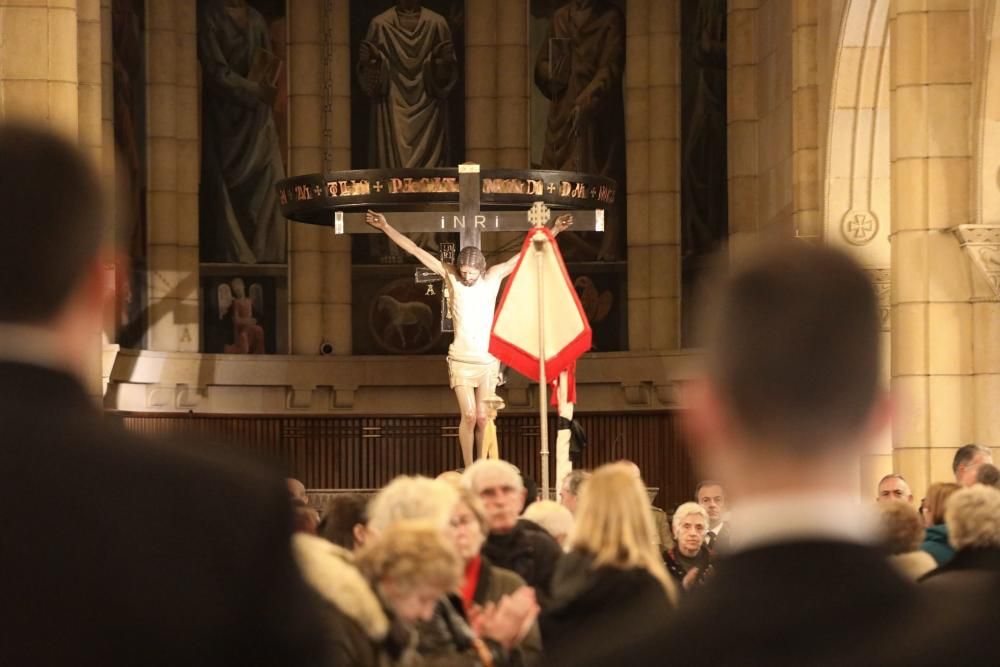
407	66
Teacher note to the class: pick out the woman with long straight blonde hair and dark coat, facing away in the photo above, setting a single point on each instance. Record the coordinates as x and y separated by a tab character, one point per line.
612	584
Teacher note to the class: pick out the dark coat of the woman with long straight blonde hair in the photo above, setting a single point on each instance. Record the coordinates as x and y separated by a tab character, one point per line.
583	618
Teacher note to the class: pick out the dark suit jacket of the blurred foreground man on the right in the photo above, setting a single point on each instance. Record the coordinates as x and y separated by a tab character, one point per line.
816	603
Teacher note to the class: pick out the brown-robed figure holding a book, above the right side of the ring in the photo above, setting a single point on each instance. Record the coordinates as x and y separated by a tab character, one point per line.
579	69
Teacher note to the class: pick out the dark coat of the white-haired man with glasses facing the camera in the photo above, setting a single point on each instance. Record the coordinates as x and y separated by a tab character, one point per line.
530	552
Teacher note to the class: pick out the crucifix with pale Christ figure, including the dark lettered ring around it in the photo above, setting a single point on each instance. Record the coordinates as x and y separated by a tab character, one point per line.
423	200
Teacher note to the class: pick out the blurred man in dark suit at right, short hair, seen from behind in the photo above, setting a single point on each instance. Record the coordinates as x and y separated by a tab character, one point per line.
788	401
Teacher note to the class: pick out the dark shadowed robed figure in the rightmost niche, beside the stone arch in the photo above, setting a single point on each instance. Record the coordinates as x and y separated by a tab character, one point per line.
704	209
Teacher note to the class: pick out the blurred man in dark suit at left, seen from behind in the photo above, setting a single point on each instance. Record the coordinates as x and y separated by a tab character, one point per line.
114	550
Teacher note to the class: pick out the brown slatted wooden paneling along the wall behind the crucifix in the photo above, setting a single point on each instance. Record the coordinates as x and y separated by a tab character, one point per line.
366	452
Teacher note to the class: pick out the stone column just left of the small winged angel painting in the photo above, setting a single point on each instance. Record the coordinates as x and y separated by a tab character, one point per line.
172	153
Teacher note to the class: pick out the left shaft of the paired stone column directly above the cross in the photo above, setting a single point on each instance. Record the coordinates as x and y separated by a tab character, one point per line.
481	64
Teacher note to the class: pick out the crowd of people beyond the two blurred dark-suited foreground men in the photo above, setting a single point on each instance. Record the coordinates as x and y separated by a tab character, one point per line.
452	572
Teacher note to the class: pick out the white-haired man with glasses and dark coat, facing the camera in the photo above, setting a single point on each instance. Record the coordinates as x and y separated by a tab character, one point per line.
518	545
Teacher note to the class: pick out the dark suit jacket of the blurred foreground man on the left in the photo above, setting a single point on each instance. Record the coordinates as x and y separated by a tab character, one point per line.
119	551
